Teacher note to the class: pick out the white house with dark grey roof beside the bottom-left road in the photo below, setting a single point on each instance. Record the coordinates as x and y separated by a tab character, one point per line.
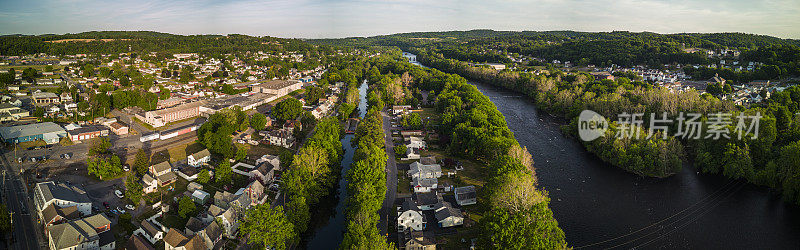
61	195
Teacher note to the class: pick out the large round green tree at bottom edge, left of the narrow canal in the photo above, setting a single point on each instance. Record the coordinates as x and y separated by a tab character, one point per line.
268	226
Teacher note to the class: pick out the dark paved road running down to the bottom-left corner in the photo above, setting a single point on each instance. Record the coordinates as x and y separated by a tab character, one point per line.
17	201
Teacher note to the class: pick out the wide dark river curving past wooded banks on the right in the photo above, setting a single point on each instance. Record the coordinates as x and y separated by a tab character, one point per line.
601	206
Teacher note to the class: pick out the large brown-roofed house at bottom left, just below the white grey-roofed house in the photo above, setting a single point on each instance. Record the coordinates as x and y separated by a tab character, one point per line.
92	232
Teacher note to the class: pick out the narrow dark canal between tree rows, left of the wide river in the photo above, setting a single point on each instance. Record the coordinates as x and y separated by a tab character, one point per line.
329	219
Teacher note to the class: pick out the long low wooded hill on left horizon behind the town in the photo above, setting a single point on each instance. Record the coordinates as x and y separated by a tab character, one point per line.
107	42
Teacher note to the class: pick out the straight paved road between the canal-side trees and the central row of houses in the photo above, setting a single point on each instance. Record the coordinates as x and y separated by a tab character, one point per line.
391	175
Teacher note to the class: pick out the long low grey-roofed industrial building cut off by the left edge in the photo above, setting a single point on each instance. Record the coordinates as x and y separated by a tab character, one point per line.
49	132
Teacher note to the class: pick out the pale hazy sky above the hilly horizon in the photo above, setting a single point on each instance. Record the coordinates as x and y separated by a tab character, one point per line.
348	18
